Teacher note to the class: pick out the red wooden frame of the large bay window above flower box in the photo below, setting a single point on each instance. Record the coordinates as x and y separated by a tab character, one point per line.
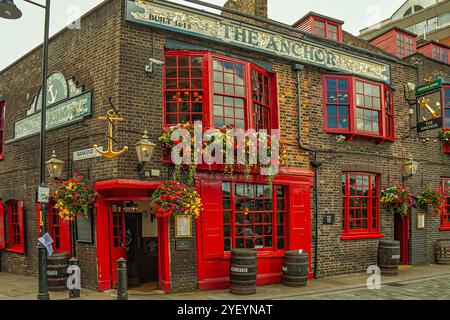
208	88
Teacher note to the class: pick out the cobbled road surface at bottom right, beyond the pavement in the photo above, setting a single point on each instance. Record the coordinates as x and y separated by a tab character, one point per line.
425	289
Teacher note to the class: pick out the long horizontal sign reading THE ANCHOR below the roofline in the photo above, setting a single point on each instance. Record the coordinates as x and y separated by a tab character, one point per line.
213	27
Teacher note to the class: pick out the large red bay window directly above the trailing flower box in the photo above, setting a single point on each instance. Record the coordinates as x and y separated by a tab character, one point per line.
218	91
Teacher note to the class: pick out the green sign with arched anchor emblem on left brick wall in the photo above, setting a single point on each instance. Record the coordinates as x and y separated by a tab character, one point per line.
66	104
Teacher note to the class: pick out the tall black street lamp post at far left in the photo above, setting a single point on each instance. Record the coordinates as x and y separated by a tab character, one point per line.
9	10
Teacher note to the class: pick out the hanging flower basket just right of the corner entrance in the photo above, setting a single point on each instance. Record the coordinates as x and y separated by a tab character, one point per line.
175	196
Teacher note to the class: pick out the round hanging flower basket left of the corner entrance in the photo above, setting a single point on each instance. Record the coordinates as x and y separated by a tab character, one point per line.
74	197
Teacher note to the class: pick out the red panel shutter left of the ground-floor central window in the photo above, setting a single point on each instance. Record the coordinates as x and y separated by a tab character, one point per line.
212	219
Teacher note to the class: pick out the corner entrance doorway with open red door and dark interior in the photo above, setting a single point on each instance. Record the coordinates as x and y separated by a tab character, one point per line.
134	237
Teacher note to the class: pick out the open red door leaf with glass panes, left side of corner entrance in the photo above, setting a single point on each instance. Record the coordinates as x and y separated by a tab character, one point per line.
117	237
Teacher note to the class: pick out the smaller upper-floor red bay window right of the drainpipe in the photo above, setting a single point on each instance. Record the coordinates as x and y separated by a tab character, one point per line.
354	106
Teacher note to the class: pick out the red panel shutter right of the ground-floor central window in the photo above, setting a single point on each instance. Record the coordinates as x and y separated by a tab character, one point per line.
300	217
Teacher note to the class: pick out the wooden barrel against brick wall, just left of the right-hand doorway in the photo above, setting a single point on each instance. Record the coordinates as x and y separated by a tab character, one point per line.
388	257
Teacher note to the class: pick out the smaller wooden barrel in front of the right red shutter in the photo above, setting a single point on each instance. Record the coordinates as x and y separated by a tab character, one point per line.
295	269
